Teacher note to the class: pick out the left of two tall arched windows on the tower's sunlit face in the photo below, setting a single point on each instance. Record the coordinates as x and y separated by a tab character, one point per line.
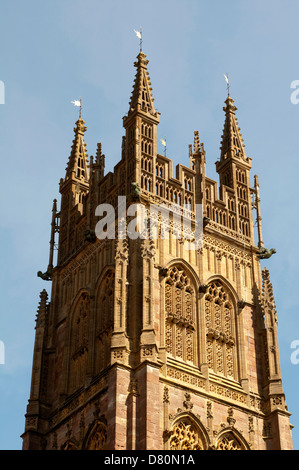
180	314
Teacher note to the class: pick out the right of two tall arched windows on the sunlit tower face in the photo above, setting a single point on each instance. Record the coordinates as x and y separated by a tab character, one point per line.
220	328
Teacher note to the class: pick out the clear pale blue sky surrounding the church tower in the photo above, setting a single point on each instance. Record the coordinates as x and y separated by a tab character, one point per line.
52	52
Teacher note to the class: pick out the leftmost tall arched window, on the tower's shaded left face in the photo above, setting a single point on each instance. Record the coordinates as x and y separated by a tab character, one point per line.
79	342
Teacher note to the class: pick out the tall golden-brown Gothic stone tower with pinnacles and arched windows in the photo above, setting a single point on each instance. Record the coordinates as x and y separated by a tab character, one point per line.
143	342
